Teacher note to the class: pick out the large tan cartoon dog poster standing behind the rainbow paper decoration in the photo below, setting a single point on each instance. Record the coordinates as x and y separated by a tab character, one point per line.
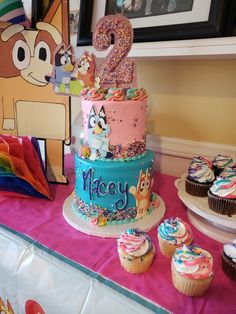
28	104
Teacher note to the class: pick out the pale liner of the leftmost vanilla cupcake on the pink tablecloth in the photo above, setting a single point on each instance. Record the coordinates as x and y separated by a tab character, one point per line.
136	265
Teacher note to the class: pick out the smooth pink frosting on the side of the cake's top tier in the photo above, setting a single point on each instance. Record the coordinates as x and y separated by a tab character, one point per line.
127	119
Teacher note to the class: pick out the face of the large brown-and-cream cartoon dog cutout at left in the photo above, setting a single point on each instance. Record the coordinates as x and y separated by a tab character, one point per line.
31	56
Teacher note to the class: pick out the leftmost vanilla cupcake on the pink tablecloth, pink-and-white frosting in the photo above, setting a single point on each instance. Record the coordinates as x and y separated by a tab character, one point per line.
136	251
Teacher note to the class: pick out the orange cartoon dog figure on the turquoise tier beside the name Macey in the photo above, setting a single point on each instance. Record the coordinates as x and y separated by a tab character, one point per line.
142	193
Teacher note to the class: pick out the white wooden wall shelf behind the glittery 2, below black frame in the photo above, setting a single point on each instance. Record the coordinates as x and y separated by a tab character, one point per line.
223	47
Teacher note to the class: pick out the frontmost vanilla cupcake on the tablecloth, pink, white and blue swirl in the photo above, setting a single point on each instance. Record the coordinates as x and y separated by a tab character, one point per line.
192	270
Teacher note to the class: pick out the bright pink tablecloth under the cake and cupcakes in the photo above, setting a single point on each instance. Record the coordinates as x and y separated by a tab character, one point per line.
42	220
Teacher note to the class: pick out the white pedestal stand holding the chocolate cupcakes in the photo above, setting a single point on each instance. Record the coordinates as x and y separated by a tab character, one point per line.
219	227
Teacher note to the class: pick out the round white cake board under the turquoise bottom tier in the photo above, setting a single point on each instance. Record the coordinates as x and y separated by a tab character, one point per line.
112	231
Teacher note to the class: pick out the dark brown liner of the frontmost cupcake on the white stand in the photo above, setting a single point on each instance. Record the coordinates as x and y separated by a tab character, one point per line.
224	206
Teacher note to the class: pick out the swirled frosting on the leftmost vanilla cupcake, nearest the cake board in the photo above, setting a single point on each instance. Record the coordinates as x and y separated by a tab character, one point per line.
135	243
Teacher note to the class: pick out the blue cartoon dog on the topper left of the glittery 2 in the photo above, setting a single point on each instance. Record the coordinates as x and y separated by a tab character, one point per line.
63	69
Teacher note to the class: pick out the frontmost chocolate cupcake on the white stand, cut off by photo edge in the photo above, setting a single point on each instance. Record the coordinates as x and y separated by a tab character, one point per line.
222	196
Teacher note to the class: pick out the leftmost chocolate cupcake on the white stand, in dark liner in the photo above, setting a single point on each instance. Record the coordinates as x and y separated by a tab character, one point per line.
200	177
